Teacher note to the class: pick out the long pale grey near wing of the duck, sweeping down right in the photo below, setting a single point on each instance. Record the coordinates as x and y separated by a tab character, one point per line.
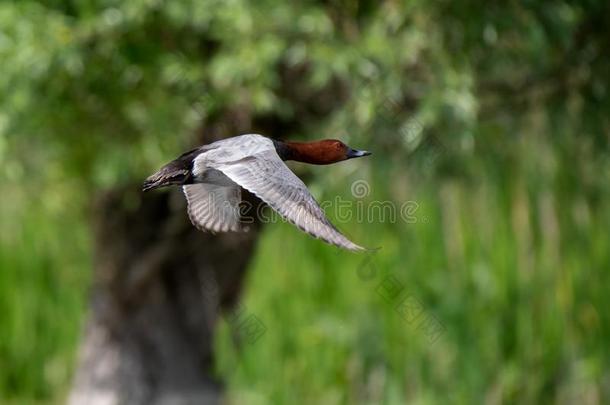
265	175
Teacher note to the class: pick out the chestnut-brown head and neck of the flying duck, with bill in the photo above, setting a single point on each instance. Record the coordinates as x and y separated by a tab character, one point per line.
322	152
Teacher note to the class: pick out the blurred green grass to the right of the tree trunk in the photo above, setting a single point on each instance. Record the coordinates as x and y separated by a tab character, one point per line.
524	321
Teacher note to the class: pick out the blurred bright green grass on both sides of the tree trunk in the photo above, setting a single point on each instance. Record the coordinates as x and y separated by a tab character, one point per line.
516	281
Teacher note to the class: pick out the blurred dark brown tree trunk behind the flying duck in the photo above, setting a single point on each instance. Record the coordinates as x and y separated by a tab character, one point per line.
158	287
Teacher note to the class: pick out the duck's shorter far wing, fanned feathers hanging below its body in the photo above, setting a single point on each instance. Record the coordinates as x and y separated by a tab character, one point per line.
212	207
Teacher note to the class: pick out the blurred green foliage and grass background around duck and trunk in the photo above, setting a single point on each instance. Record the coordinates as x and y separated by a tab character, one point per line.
492	121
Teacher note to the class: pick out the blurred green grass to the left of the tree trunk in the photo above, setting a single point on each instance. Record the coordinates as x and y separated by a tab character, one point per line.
44	274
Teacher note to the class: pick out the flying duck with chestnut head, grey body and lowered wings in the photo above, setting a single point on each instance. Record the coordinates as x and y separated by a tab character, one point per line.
212	176
